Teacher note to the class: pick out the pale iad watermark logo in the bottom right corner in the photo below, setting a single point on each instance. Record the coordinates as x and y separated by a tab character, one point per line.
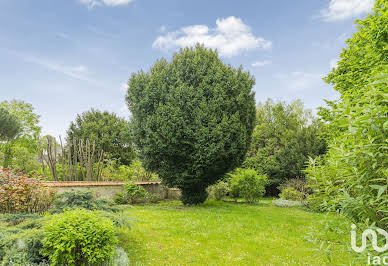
372	260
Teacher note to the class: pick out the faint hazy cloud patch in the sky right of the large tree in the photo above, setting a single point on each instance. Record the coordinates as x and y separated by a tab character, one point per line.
300	81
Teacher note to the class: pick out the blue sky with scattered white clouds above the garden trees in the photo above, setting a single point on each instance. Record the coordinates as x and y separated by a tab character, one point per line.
67	56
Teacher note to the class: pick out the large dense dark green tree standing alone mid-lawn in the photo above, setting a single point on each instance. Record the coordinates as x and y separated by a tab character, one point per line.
192	119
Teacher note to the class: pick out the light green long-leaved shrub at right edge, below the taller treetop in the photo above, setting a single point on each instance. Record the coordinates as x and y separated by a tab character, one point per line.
352	177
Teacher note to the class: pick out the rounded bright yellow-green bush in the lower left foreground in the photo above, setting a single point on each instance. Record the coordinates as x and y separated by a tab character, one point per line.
79	237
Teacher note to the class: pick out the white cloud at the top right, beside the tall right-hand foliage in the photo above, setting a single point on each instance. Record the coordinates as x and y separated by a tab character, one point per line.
343	9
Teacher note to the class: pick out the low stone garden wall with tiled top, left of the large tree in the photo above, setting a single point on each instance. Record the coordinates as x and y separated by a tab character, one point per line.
108	189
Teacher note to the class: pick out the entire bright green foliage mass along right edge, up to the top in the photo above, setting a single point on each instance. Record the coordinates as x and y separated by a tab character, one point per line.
352	177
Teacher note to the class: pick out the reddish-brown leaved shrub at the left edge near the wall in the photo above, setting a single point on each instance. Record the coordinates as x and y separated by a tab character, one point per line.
20	194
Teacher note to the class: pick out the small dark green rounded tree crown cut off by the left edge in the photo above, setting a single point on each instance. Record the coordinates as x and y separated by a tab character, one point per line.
10	127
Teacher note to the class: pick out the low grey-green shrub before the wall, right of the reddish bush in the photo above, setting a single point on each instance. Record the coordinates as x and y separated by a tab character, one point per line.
80	199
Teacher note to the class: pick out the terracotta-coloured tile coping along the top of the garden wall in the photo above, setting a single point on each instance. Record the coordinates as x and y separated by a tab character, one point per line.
92	183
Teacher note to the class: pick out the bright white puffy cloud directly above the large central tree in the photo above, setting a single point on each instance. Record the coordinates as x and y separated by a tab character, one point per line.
230	37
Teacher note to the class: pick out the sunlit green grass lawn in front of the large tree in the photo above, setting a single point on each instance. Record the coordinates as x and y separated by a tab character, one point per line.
225	234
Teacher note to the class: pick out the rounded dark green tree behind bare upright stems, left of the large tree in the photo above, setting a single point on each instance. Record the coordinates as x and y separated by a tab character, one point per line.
110	133
